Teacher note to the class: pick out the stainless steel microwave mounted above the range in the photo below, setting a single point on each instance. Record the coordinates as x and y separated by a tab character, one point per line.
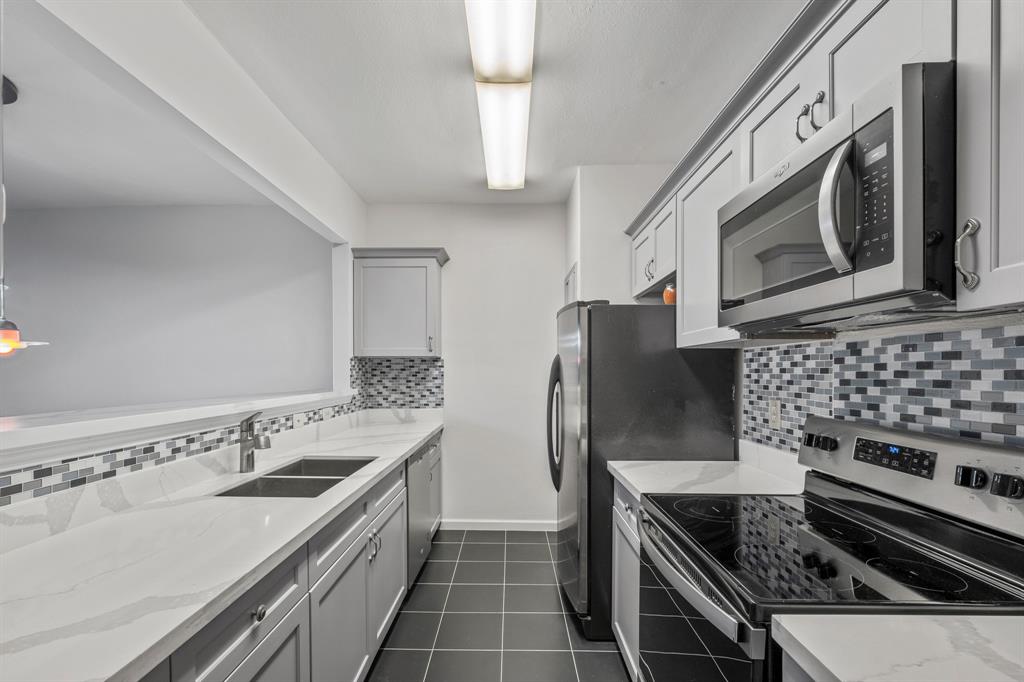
857	222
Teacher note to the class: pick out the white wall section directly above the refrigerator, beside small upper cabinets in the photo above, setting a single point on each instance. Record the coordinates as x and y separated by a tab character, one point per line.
608	199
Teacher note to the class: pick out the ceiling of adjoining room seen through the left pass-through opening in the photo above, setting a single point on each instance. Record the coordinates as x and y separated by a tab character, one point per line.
71	141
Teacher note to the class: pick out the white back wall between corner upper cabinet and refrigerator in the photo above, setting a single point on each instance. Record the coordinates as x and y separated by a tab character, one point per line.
500	294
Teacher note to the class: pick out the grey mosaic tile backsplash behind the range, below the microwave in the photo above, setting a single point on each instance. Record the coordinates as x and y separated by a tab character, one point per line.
964	383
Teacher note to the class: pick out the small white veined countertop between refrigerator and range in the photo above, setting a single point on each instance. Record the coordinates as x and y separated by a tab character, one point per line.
700	478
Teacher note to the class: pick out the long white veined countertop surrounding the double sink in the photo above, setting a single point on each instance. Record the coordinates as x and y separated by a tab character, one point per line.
112	599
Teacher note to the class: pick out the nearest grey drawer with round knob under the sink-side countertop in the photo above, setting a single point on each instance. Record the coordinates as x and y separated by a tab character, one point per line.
214	654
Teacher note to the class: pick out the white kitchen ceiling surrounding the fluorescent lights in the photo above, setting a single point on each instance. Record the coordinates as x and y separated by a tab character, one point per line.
385	89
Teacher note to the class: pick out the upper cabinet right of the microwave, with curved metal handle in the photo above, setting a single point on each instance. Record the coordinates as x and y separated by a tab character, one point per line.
991	153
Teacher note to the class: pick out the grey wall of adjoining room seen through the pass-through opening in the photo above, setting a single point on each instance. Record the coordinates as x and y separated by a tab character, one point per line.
161	305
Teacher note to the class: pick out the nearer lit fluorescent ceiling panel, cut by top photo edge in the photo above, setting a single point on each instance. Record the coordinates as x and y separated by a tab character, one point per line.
501	39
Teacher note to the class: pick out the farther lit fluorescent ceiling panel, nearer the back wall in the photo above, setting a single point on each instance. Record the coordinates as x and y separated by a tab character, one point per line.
505	125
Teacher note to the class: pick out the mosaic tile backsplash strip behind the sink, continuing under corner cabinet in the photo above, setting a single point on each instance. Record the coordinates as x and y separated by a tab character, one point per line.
379	382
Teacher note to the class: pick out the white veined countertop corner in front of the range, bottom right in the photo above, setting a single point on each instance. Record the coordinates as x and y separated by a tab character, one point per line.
905	649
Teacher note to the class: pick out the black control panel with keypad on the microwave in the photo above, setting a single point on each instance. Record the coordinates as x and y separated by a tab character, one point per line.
875	193
